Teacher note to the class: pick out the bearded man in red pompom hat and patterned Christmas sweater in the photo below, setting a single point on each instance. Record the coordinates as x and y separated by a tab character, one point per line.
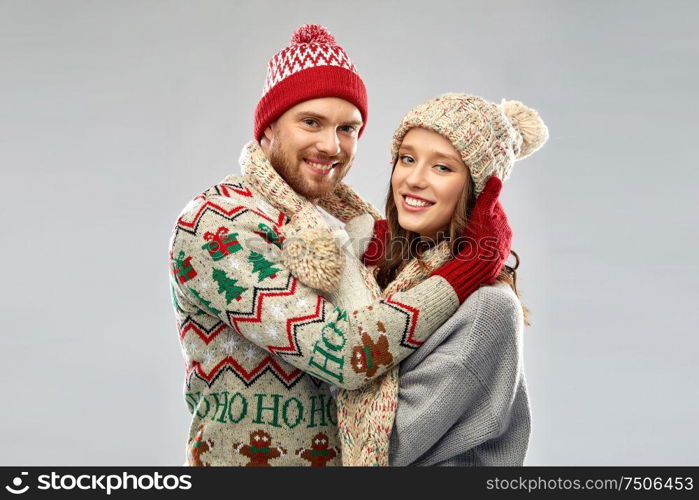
262	347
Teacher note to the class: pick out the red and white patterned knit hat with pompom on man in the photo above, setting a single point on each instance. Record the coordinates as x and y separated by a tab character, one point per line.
312	66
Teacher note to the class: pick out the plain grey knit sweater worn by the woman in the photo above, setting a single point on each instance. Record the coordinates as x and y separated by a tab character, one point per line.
463	395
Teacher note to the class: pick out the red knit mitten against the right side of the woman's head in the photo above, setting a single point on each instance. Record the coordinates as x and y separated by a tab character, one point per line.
489	238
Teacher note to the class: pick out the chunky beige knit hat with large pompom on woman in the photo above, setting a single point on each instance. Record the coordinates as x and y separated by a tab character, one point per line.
489	136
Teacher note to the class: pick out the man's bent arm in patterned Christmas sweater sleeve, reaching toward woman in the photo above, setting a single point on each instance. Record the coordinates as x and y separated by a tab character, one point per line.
225	261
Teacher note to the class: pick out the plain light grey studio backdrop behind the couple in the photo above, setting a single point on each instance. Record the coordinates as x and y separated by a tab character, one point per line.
114	114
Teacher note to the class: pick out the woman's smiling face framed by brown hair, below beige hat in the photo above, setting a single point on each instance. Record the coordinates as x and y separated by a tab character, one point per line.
428	179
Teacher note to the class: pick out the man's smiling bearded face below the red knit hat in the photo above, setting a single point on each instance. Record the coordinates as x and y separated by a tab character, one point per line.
312	145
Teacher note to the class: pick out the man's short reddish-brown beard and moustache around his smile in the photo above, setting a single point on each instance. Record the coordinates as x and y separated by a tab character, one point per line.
289	169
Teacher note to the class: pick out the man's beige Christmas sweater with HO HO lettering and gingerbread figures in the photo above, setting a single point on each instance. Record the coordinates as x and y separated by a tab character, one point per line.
261	346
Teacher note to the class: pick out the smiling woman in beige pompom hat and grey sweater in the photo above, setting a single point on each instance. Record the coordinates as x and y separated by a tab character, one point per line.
461	398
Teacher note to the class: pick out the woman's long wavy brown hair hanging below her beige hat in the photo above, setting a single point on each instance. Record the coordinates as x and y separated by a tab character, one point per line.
404	245
